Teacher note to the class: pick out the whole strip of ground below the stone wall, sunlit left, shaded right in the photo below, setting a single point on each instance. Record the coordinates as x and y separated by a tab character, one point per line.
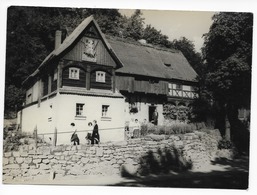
222	174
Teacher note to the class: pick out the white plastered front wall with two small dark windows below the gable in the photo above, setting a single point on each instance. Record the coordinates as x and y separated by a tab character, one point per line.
66	109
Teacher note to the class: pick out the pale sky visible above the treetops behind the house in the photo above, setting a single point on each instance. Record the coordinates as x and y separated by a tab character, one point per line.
177	24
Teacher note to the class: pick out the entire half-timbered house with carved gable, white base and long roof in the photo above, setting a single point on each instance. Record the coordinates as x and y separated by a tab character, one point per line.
90	77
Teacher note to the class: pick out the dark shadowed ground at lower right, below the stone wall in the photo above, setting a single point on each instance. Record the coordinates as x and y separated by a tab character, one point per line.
222	174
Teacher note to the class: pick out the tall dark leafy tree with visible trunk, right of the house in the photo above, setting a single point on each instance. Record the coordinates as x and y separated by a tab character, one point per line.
228	54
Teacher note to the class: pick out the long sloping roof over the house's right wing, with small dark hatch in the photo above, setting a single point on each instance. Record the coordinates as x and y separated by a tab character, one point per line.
146	60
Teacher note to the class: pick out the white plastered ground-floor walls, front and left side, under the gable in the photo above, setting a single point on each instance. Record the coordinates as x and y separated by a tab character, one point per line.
60	111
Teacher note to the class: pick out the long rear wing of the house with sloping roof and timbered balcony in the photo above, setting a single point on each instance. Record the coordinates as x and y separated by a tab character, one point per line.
153	78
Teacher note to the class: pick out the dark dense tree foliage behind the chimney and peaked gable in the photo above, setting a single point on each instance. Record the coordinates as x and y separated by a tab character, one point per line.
31	34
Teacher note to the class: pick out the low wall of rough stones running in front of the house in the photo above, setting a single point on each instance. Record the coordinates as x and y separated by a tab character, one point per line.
105	159
